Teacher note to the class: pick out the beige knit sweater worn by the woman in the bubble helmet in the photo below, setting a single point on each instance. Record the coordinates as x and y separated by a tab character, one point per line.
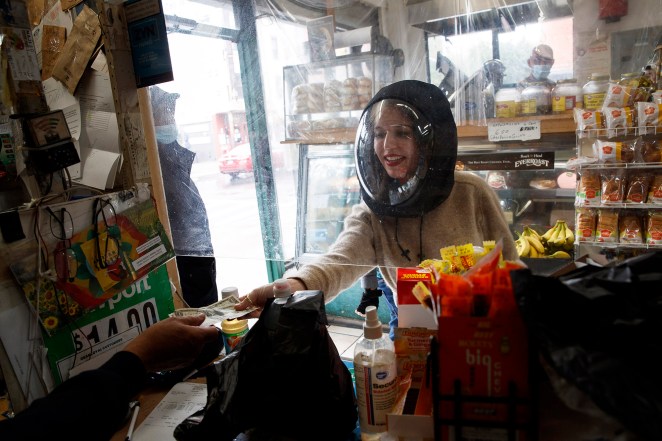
471	214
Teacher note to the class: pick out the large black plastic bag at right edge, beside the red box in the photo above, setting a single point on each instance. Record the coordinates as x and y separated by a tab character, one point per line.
600	328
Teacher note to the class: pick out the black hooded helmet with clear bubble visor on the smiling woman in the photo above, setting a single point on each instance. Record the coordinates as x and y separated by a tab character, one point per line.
406	149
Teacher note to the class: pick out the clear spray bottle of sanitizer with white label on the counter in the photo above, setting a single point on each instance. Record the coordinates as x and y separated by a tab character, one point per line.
375	370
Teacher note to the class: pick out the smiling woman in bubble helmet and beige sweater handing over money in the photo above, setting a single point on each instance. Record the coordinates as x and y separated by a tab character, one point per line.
413	201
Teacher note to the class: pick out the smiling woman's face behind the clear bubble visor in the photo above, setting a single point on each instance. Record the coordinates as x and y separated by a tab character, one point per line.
394	144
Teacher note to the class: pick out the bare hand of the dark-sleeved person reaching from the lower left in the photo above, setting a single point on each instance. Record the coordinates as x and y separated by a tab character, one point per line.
172	343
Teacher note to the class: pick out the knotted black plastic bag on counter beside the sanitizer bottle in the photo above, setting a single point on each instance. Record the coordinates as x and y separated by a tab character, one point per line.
290	385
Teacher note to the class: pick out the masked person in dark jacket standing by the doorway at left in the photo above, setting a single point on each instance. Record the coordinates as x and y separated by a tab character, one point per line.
189	225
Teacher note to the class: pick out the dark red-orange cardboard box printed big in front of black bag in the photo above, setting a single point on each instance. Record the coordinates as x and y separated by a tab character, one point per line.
482	358
